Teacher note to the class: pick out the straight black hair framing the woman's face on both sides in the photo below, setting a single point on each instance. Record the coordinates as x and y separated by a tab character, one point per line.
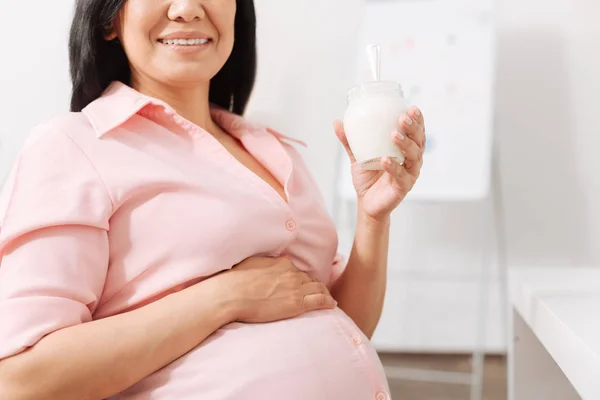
96	62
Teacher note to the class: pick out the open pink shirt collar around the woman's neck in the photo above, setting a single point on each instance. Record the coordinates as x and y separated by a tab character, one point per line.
120	102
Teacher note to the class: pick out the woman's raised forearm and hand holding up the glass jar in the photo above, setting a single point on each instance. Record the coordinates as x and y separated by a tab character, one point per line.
361	288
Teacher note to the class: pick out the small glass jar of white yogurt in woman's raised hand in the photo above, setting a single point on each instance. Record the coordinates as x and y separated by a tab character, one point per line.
374	109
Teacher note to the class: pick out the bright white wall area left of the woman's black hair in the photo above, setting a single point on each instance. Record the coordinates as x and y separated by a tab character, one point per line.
34	70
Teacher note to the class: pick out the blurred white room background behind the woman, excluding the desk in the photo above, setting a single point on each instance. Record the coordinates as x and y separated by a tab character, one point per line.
509	89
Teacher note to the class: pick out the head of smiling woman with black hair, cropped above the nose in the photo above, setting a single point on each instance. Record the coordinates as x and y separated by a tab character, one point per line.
118	40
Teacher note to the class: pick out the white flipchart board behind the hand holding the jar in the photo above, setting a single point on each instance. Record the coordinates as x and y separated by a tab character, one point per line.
442	52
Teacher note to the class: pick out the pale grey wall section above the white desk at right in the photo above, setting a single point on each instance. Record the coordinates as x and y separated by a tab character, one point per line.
549	121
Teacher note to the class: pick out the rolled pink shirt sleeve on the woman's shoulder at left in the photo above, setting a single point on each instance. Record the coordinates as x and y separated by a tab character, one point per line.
54	212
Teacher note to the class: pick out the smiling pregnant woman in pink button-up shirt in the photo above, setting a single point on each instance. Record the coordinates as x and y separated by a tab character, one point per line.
156	245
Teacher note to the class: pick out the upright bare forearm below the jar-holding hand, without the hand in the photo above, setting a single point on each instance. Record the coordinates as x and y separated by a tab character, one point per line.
360	290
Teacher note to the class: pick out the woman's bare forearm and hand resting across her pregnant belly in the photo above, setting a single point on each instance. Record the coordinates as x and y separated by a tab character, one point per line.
98	359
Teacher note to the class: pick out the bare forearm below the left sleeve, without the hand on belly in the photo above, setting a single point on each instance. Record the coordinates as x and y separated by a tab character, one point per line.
98	359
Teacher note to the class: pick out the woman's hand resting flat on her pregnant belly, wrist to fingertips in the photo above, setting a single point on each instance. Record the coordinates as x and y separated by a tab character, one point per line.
261	289
